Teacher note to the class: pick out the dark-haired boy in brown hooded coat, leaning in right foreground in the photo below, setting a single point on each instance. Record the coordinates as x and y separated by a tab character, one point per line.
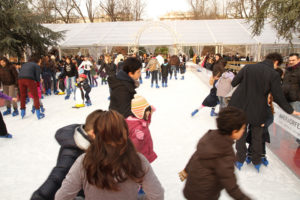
211	167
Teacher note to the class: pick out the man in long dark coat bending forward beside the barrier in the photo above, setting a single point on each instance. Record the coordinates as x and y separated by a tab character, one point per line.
255	82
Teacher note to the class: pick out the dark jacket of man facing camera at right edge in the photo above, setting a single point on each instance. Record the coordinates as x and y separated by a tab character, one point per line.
291	83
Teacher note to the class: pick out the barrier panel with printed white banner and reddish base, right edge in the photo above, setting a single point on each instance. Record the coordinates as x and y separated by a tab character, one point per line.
285	139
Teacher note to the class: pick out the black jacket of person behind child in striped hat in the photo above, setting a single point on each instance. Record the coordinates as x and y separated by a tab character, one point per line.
122	92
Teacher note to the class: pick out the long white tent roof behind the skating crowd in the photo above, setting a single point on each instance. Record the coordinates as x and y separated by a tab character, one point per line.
149	33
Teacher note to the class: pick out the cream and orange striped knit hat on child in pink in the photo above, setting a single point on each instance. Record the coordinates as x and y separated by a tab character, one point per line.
138	106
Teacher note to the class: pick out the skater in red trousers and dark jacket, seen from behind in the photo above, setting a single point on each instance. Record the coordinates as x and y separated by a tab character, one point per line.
29	77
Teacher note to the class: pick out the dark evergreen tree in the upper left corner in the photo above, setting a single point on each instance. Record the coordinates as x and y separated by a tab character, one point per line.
20	28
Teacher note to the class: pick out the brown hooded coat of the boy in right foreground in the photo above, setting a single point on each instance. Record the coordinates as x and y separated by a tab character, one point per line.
211	169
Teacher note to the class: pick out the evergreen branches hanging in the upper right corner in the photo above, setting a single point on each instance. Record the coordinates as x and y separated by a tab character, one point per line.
284	15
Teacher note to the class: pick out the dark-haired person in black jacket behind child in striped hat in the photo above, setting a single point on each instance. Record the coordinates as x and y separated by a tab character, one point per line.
123	86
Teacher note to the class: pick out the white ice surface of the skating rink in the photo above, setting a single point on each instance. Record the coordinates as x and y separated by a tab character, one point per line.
27	159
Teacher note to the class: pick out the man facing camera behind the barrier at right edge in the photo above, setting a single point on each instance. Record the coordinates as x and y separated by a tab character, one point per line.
291	81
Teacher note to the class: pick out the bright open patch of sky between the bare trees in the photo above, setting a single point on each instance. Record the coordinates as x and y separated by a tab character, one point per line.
157	8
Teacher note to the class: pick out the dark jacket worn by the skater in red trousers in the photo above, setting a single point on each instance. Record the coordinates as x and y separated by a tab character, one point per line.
30	70
